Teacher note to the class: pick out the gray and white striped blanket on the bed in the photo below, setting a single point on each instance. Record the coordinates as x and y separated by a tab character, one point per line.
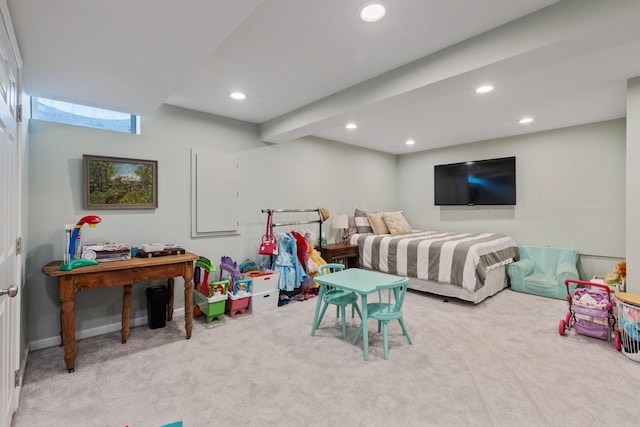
461	259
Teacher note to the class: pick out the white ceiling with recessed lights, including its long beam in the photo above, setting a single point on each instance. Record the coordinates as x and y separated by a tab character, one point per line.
309	66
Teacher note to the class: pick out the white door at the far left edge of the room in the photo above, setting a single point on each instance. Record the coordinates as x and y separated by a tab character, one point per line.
9	223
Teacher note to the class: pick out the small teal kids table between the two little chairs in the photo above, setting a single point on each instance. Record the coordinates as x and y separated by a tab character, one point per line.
362	282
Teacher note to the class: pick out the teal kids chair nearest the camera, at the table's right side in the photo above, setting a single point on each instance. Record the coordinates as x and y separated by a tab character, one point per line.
388	308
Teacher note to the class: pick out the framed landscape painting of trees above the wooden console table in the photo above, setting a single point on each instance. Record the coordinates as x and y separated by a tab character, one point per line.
119	183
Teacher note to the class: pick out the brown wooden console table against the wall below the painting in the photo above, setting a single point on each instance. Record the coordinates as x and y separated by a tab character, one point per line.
119	273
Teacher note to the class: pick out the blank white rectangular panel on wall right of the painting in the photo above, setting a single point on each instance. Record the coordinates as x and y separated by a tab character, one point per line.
214	194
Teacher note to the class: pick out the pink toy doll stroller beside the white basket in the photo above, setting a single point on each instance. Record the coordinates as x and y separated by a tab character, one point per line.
590	312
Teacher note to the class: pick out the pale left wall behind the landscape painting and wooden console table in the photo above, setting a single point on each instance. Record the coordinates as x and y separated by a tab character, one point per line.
307	173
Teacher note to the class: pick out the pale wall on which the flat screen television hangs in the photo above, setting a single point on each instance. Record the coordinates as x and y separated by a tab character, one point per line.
570	191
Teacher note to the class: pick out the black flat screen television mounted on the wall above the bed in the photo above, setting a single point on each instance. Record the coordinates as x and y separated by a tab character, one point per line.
481	182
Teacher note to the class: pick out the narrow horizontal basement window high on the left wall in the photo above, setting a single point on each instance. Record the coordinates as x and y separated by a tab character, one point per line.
82	115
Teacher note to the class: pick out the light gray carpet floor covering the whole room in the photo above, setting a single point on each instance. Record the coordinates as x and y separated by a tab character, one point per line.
498	363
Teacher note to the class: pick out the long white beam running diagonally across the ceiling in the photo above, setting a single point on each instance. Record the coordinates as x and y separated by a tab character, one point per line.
561	31
